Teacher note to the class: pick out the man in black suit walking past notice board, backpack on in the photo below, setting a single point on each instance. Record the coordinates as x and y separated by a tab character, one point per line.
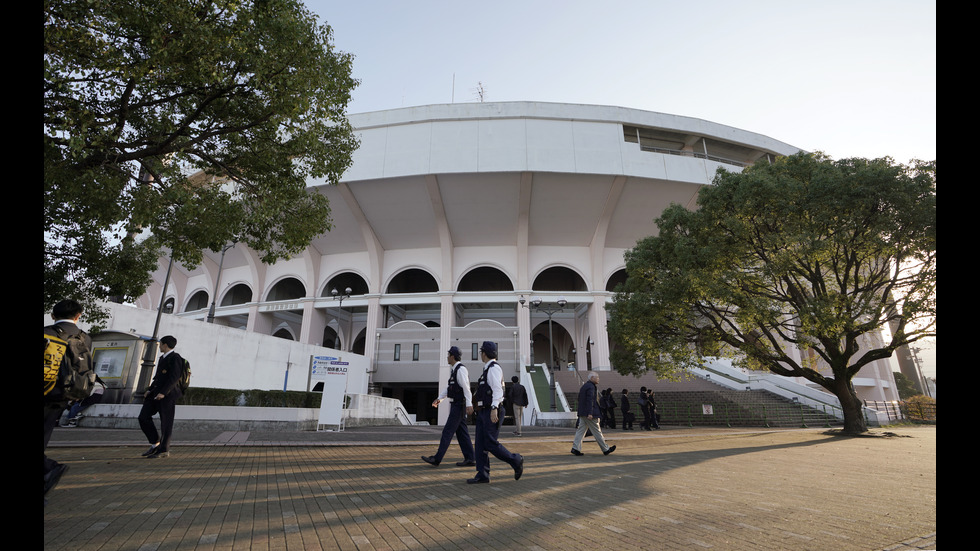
161	397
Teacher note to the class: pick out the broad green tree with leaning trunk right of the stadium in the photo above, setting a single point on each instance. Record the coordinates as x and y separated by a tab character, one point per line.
806	267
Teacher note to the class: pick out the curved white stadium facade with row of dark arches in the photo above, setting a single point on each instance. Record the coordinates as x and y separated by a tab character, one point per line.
450	214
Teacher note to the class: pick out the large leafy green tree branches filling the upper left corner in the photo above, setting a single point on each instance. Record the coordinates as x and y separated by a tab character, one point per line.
180	127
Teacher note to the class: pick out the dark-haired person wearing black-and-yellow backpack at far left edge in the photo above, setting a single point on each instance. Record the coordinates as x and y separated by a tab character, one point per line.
69	374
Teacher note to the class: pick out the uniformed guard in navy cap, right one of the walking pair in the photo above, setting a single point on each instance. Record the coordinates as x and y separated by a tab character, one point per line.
489	395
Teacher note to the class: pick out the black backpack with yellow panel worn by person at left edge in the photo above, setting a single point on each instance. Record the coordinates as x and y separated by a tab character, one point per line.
67	365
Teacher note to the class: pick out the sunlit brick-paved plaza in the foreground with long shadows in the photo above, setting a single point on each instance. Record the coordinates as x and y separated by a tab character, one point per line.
683	489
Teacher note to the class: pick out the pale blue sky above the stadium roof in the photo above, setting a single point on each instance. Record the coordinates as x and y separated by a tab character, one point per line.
850	78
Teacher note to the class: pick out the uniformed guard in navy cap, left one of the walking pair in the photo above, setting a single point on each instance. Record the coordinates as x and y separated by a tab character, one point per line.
461	404
